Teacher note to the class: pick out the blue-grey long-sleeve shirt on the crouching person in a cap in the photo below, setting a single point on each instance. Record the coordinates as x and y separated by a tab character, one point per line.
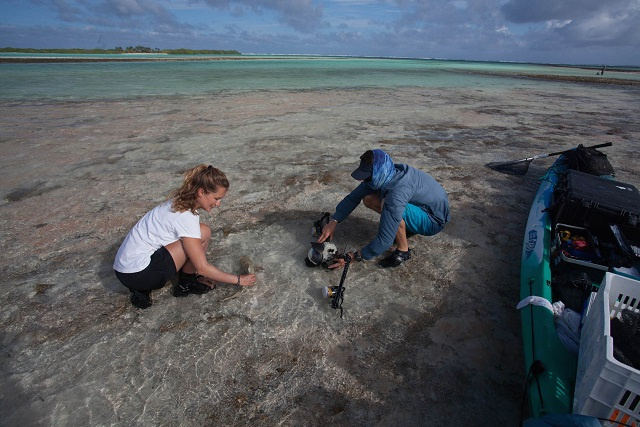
409	185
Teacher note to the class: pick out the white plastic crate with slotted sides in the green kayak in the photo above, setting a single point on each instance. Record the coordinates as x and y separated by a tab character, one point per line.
606	388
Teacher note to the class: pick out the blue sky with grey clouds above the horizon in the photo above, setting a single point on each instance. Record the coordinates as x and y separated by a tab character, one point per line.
549	31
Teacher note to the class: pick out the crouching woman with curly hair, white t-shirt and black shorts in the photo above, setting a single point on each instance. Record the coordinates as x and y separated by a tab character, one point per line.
170	239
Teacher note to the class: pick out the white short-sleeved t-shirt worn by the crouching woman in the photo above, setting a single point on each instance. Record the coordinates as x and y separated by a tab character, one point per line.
159	227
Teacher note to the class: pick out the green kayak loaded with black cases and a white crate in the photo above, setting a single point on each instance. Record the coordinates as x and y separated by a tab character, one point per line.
555	249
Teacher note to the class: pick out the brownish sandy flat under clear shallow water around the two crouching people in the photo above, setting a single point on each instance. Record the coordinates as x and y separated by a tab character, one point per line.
434	342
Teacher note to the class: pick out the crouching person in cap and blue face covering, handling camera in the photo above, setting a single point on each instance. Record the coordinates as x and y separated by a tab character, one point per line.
408	200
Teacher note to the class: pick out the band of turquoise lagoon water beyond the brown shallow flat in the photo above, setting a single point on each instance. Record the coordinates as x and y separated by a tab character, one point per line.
116	80
